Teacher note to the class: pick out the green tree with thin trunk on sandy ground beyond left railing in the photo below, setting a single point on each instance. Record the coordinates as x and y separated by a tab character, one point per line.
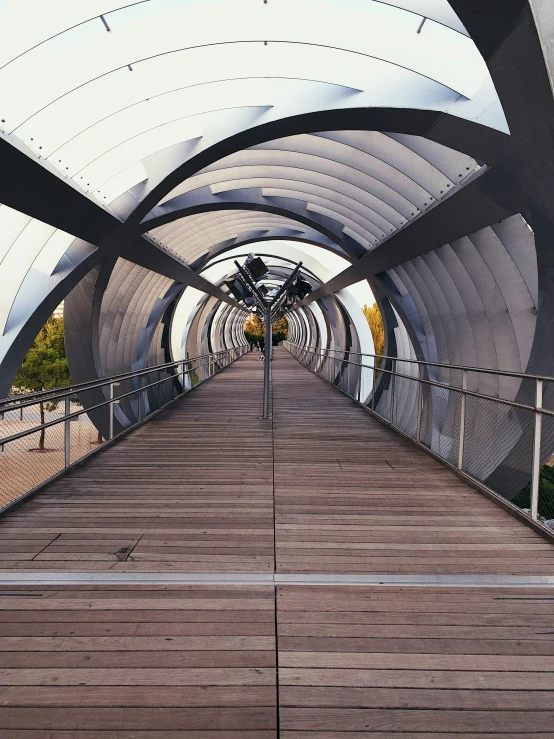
45	366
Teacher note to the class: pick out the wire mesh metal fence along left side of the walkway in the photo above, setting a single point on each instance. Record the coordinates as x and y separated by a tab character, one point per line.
43	434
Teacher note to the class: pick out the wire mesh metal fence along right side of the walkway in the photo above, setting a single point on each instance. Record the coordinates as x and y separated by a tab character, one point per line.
497	428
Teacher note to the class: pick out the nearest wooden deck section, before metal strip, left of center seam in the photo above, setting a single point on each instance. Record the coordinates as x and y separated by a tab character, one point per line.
212	673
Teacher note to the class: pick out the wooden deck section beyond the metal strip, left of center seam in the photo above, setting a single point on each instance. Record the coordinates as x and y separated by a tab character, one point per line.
183	492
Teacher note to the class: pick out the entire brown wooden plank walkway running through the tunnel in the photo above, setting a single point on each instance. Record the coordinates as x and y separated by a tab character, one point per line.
197	638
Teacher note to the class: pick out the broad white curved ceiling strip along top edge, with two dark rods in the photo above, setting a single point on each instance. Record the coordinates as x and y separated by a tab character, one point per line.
154	28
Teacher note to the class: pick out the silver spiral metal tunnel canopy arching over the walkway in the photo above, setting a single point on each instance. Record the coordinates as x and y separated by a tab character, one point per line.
401	144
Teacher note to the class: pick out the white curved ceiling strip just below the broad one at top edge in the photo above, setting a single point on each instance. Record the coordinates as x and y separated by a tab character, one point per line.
182	72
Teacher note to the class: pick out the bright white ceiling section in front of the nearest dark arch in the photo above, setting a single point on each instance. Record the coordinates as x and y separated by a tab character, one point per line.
95	87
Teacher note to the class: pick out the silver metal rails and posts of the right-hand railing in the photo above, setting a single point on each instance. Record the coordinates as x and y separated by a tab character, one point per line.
302	353
